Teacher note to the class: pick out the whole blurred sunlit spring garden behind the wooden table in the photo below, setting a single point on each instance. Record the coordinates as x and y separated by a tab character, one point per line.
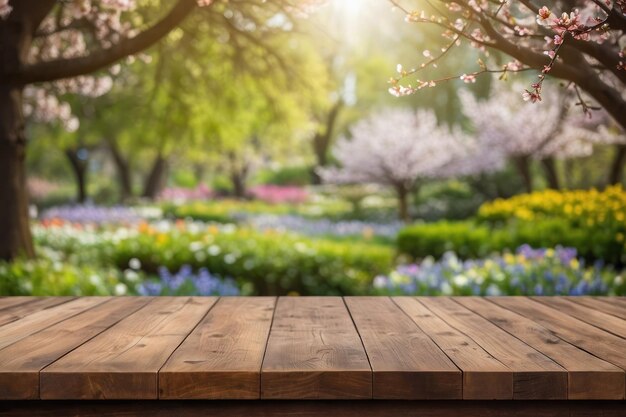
255	149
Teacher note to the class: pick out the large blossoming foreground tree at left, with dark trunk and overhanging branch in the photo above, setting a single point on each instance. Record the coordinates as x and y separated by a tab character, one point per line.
50	48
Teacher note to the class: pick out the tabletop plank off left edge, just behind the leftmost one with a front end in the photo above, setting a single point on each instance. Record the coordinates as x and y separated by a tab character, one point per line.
41	319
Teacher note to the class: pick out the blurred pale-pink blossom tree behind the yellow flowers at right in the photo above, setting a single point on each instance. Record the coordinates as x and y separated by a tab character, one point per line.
521	132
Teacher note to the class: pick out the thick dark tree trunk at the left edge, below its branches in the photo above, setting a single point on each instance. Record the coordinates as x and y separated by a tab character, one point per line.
15	236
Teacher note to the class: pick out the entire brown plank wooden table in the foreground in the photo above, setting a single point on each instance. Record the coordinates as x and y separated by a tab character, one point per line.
296	355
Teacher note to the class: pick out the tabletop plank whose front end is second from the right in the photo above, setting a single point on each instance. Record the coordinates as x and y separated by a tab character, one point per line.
535	376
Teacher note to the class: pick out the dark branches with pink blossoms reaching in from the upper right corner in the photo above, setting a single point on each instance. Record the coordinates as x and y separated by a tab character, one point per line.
578	41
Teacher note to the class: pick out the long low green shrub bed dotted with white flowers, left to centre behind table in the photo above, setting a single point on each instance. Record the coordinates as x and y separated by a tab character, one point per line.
265	263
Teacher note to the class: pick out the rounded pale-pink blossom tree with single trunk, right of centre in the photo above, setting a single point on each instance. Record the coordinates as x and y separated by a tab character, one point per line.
395	148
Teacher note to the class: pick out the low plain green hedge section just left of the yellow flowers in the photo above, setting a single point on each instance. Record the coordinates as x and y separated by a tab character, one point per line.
434	239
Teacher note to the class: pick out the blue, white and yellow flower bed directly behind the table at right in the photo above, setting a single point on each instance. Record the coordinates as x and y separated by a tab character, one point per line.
527	272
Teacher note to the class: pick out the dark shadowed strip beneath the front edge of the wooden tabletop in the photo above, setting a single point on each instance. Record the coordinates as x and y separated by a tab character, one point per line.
282	408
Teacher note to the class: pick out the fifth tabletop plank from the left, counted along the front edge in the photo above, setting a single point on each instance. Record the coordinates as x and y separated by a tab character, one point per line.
406	363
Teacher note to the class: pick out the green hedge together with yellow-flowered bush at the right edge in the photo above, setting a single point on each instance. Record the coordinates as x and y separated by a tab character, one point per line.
592	222
